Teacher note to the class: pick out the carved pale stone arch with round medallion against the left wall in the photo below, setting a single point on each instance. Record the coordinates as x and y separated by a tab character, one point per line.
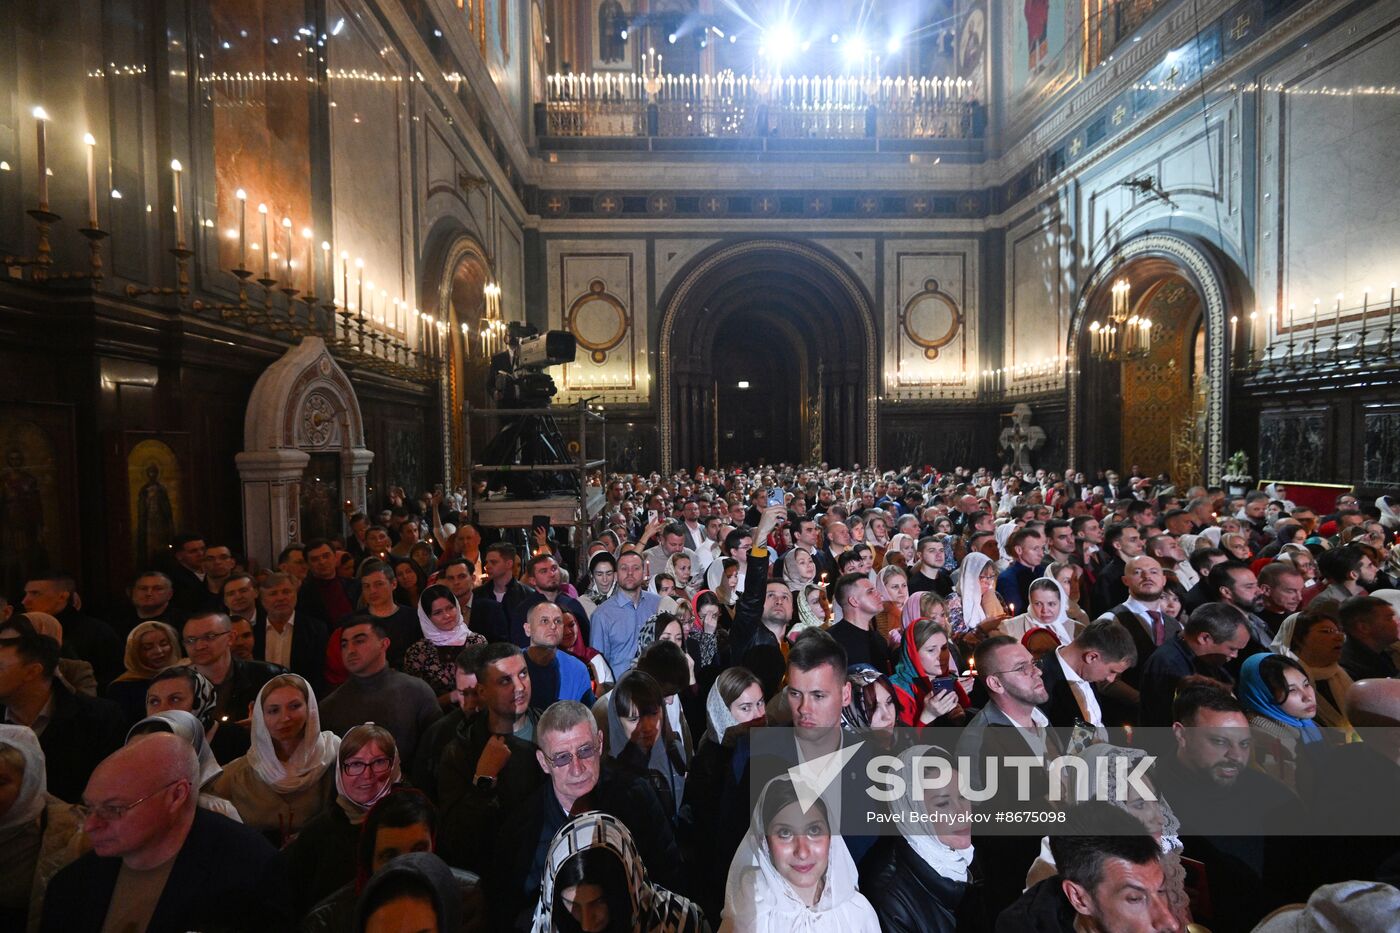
303	406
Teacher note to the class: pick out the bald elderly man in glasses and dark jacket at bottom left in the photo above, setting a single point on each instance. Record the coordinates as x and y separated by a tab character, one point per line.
159	862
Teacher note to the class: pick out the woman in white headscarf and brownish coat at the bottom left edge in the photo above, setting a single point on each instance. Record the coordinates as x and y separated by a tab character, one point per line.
40	834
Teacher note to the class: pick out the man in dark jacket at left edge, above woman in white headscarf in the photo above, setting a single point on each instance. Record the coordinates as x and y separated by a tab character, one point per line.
75	732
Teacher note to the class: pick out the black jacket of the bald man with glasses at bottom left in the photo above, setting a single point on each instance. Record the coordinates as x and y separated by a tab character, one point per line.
219	882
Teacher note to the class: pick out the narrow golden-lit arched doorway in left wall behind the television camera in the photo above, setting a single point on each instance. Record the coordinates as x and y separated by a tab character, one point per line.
461	300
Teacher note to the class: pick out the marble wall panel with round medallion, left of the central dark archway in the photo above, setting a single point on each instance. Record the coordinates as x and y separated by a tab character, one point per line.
598	291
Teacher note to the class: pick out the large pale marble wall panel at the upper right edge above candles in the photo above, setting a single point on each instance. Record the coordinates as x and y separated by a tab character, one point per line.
1329	207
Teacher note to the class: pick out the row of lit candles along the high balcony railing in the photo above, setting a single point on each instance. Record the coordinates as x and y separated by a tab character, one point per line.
804	92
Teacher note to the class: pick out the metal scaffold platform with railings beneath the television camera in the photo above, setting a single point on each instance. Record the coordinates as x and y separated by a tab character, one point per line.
562	511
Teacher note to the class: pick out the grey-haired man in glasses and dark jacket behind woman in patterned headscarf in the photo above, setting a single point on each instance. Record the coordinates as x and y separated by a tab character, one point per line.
570	754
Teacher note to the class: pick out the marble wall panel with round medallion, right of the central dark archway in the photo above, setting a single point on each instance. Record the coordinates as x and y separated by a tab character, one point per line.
930	319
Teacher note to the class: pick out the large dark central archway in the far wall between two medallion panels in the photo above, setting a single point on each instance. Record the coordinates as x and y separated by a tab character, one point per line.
796	317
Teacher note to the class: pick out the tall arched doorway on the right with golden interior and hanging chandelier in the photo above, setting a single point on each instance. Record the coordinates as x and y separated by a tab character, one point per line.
1164	413
